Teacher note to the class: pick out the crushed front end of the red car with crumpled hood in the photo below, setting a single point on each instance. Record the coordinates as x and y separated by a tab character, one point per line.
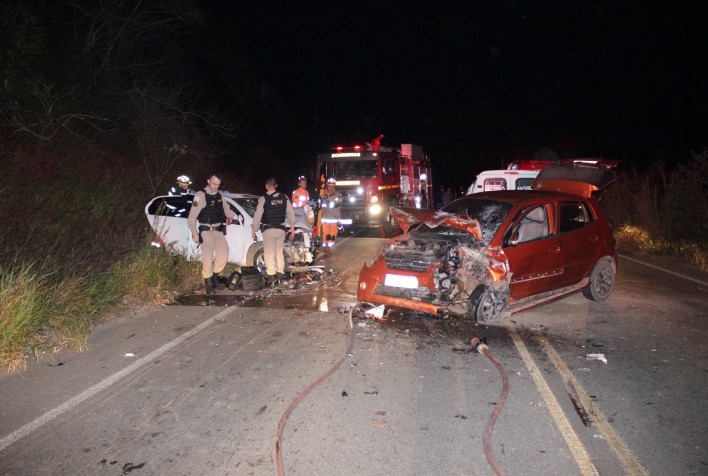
433	269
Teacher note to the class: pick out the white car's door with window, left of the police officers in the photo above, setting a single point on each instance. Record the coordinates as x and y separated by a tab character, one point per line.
167	216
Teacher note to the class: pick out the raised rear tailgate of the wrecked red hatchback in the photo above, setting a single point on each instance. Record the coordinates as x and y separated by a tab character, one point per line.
577	176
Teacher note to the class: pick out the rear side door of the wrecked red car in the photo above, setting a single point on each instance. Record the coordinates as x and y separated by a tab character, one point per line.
580	237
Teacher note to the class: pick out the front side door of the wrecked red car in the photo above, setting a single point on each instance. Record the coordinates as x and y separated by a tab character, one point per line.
534	253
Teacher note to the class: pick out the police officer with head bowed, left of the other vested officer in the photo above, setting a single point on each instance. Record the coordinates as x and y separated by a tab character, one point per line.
213	214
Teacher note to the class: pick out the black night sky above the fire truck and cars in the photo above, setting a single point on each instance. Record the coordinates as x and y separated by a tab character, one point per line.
476	83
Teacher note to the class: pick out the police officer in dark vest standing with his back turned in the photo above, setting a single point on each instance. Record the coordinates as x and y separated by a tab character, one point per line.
271	211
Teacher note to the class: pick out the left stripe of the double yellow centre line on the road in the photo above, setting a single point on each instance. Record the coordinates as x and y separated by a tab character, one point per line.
576	447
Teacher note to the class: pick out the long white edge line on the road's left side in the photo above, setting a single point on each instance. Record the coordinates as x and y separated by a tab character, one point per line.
105	383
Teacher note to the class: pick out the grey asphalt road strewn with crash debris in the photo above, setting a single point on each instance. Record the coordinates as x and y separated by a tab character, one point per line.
209	389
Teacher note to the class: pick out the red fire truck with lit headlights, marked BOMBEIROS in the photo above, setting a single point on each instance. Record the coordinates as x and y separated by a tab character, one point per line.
372	179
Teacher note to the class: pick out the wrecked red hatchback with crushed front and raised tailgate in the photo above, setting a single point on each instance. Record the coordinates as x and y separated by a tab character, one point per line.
491	252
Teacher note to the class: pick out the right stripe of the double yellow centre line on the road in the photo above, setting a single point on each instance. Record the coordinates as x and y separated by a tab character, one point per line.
629	462
